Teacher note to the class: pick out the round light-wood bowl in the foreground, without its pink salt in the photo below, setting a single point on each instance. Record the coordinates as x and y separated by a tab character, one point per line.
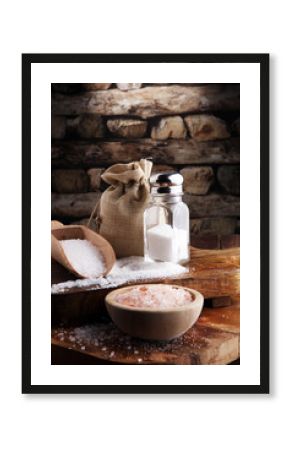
154	323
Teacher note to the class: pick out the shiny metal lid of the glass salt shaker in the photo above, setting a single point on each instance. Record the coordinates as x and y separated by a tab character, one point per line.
166	183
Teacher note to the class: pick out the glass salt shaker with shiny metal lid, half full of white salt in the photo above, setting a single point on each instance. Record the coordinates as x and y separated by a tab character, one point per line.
166	220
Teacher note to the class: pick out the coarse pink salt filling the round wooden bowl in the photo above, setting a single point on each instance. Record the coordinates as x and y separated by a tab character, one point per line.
156	296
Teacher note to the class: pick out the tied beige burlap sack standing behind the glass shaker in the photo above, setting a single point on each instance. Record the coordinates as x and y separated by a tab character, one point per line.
122	206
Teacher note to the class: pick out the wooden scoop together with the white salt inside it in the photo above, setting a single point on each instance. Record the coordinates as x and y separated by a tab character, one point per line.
82	251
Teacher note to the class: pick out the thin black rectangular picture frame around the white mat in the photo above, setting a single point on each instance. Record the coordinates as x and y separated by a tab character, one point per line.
27	60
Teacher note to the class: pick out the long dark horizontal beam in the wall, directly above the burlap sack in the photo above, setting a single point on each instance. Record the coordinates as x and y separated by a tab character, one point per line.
73	154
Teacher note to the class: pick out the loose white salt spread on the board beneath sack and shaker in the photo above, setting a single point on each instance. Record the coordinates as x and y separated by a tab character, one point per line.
131	269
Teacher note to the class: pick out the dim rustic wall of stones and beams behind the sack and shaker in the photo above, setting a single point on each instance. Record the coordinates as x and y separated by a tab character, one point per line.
191	128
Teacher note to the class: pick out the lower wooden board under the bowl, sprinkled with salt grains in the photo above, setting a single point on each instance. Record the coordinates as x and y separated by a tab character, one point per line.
213	340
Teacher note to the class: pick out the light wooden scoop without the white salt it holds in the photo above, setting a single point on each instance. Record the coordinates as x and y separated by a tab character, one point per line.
60	232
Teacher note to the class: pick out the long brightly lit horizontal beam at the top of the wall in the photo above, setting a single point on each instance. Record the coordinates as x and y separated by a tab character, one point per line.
150	101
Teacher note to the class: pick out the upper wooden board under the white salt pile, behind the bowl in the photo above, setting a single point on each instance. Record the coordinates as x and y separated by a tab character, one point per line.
215	273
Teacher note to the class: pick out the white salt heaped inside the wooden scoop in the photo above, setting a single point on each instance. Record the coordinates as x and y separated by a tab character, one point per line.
84	257
